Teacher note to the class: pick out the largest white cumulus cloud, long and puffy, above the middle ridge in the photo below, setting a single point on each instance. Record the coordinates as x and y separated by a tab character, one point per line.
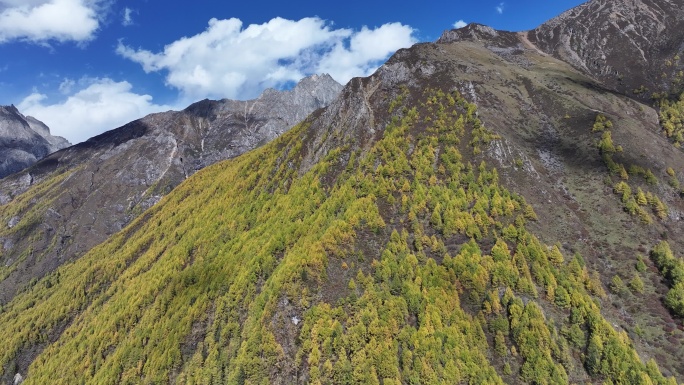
227	60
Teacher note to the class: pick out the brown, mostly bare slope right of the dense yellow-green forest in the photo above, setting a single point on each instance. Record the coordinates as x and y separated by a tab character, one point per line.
555	151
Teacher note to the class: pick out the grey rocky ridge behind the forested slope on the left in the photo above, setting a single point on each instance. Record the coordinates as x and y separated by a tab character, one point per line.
80	196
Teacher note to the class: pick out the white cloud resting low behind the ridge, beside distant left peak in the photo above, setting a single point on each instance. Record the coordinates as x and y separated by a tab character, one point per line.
101	105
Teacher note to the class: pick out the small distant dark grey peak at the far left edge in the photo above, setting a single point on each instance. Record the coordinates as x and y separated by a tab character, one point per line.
24	140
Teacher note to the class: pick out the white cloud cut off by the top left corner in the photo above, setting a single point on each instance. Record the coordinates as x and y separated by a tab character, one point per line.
49	20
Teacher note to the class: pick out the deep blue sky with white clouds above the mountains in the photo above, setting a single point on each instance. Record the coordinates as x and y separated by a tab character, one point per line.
86	66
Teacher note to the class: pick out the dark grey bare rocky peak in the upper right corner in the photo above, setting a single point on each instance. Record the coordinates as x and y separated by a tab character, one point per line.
625	44
